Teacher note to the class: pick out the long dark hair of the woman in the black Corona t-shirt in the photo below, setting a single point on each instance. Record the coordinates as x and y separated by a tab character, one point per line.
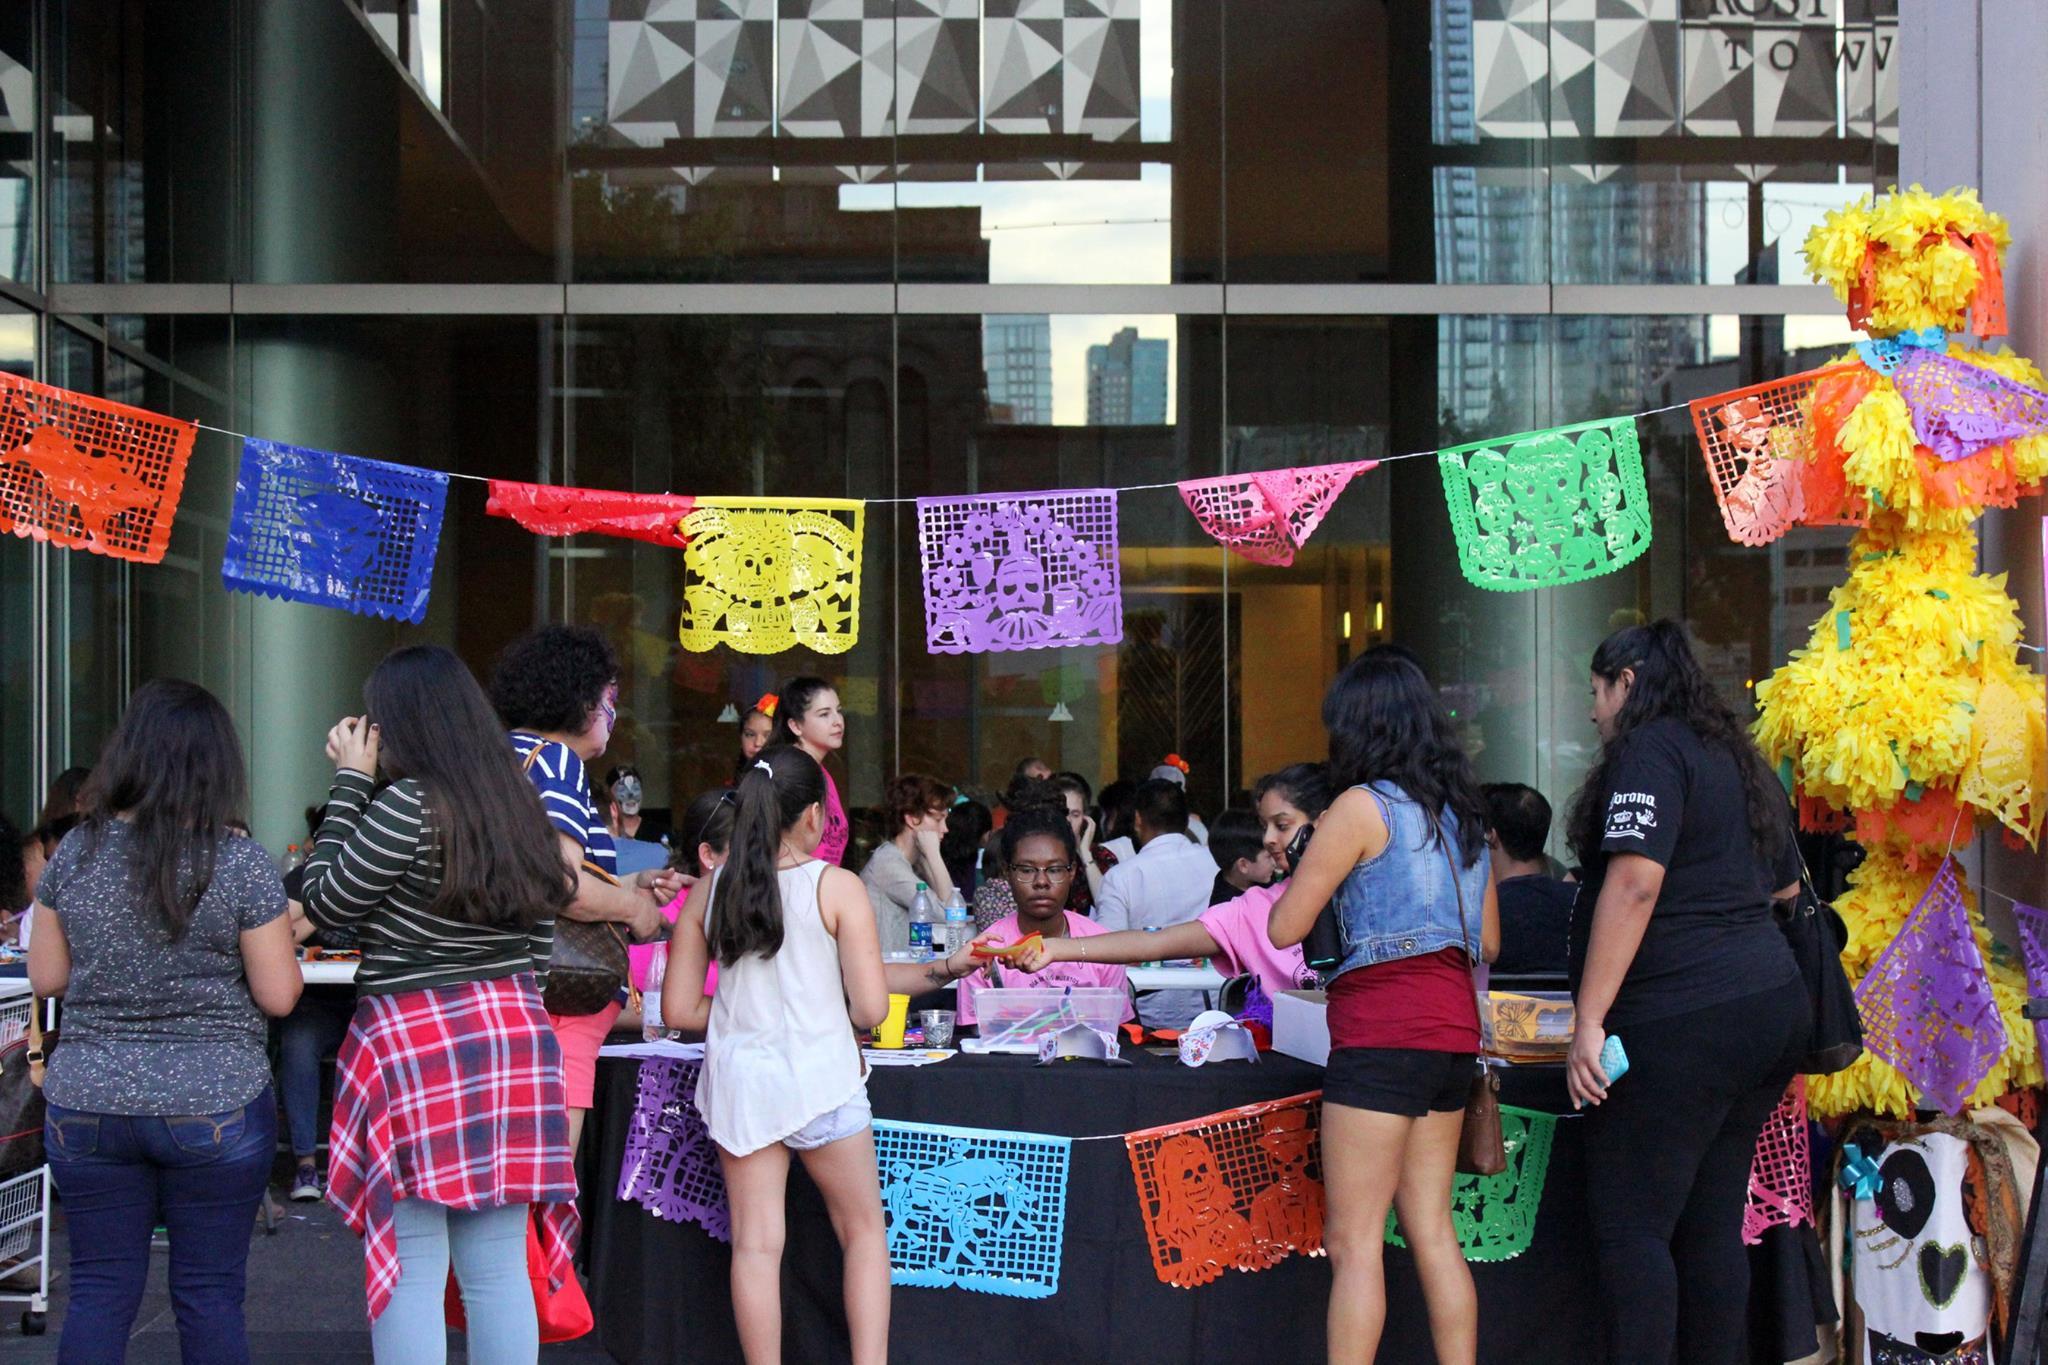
1670	682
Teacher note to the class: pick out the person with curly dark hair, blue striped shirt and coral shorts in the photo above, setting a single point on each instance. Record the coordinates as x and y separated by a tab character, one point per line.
558	693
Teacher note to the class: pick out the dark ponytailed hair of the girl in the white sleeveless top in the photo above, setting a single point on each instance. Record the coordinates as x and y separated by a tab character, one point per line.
775	791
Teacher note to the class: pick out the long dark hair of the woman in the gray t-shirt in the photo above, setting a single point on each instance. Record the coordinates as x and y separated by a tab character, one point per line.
175	770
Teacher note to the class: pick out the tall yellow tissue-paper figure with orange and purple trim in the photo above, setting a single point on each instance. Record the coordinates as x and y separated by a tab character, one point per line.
1908	719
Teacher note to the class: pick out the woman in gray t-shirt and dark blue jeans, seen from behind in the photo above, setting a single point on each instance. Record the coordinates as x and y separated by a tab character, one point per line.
167	938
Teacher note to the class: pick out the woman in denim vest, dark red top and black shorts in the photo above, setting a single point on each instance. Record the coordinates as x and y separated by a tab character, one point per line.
1402	861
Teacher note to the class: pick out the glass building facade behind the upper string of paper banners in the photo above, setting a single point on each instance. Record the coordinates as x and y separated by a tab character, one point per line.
923	247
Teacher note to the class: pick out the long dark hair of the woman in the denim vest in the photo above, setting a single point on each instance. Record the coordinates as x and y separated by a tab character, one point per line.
1385	725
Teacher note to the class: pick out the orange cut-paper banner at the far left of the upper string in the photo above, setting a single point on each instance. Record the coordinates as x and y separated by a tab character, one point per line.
87	474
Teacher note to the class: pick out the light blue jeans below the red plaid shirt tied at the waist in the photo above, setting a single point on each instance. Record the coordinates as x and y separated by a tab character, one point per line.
488	1249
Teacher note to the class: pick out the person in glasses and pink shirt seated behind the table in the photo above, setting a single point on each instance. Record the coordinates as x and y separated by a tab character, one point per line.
1041	858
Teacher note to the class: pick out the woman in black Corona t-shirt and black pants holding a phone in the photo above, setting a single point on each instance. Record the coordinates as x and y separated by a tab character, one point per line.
1684	836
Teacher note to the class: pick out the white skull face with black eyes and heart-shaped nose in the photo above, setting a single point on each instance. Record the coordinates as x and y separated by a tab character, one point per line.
1920	1258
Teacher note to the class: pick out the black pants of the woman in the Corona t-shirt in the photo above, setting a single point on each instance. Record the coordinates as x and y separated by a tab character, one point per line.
1668	1174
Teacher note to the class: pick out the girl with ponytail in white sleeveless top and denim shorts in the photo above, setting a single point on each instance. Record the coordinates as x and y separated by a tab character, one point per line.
800	971
